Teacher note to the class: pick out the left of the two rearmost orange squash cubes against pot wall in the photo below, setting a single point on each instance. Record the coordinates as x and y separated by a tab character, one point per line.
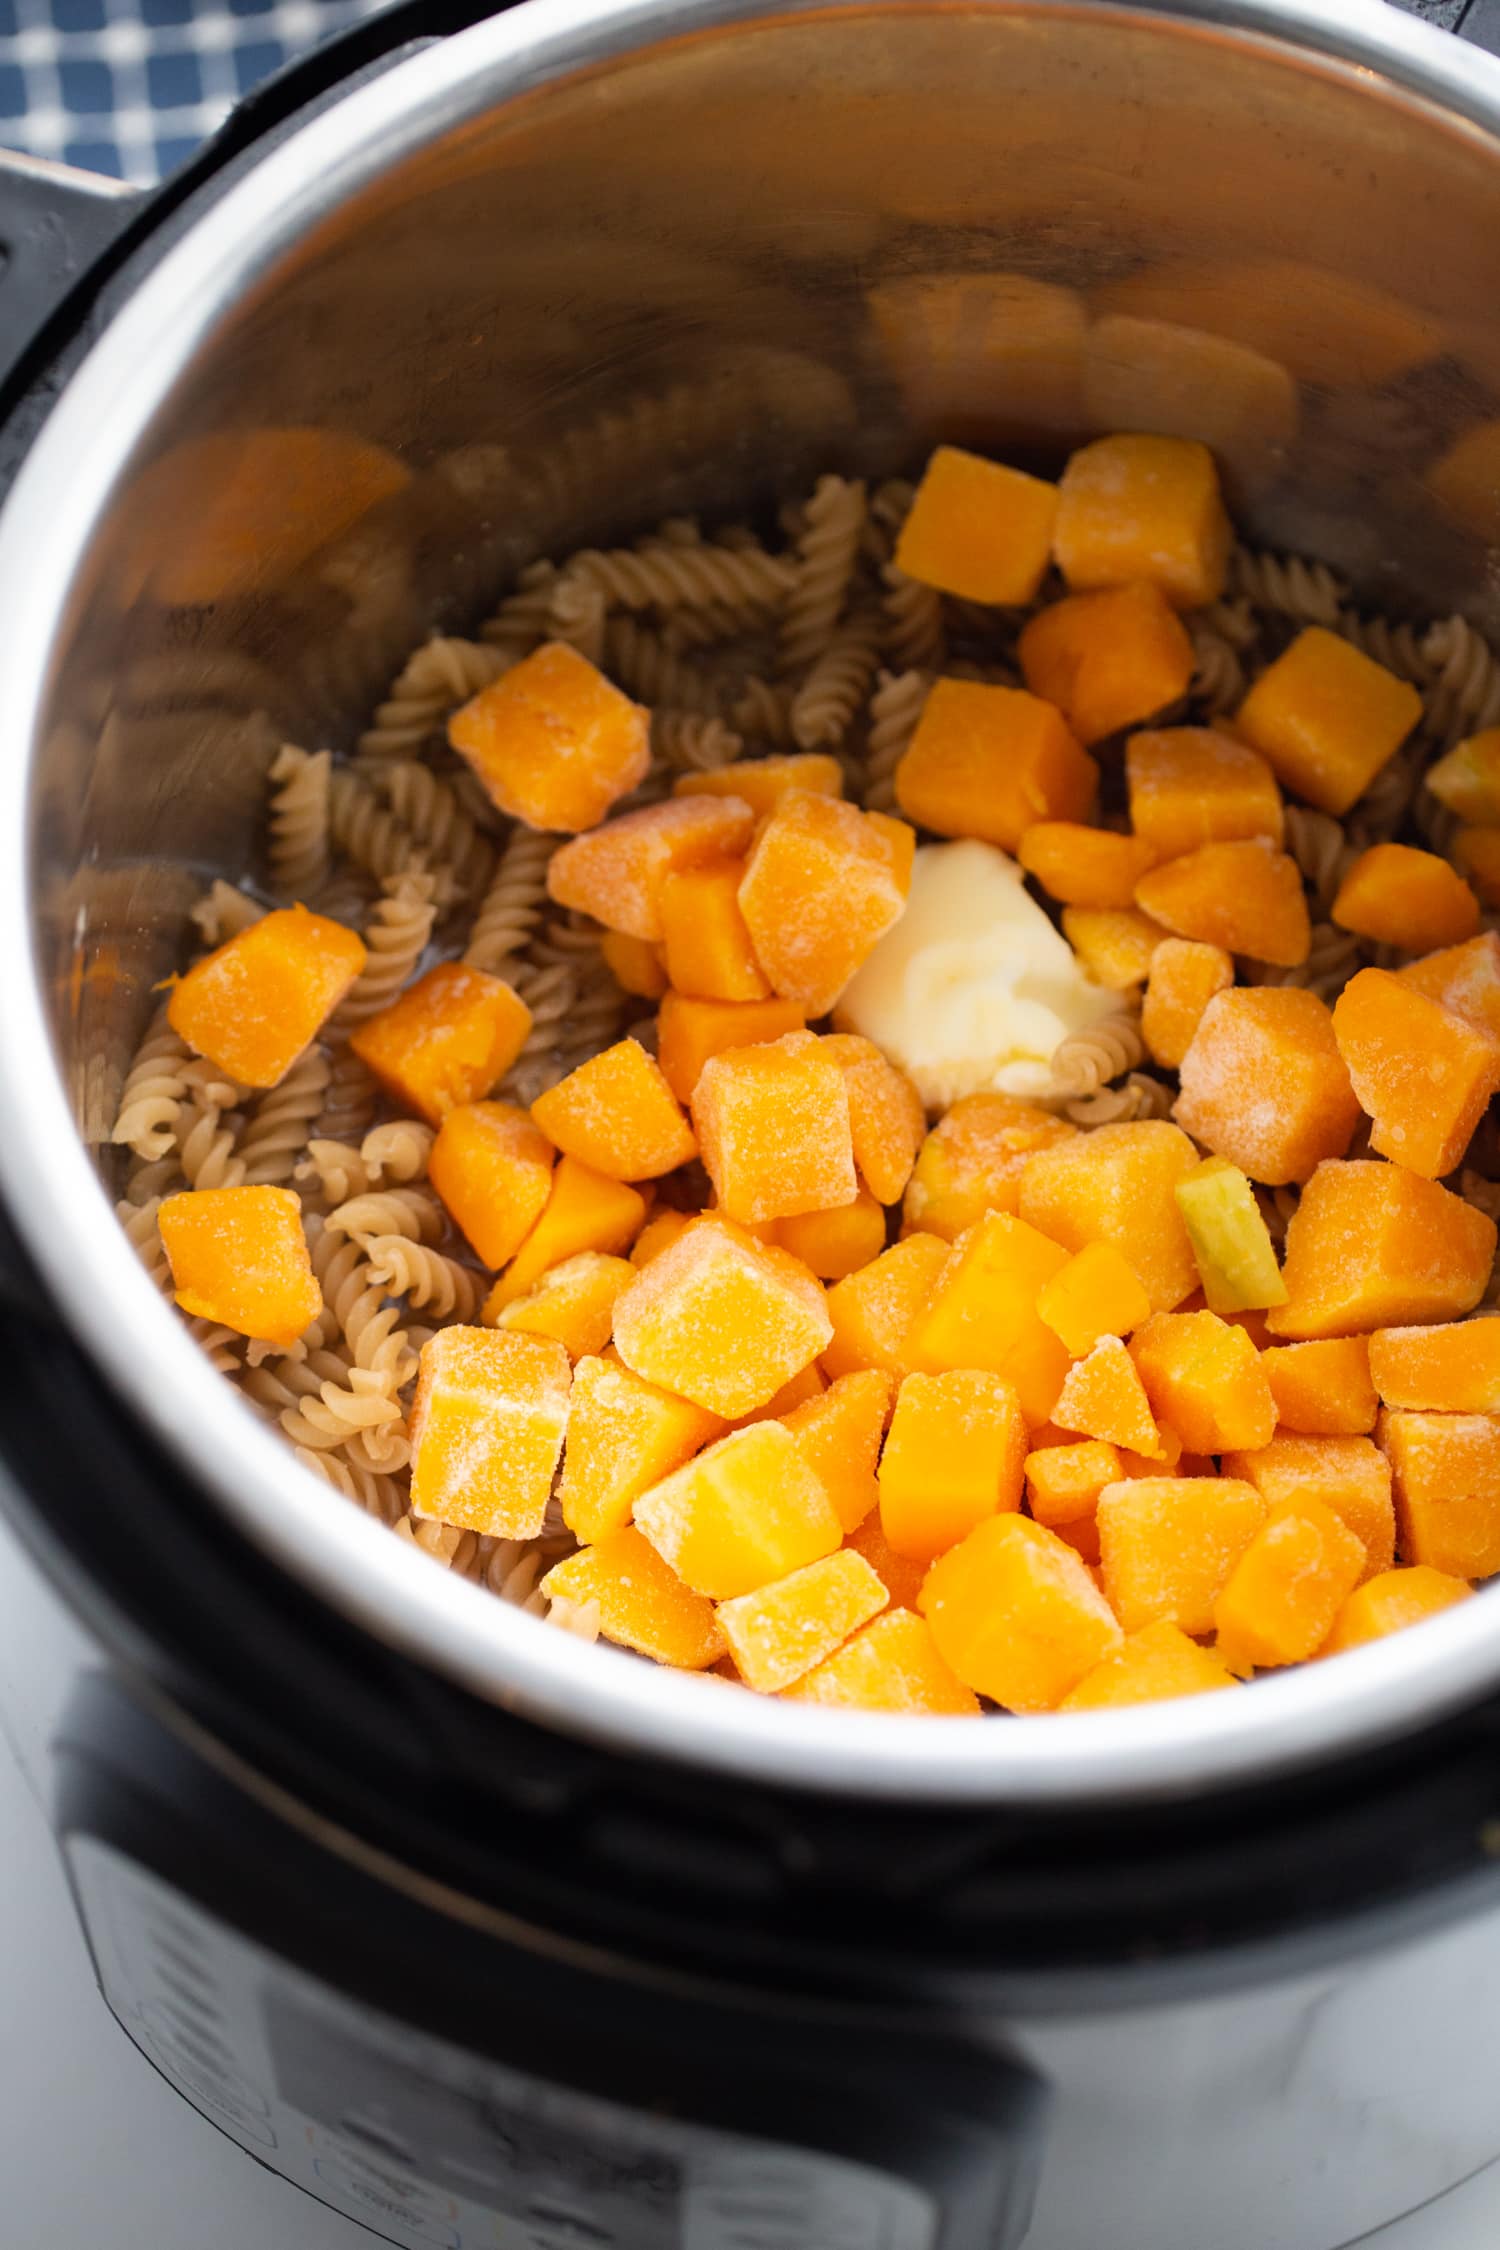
979	530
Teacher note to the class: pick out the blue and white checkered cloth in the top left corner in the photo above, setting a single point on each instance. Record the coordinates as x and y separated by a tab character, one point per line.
134	87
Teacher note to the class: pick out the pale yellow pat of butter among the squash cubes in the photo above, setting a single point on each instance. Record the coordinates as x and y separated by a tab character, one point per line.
975	989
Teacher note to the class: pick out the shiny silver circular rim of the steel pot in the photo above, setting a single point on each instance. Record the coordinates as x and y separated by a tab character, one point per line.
64	1214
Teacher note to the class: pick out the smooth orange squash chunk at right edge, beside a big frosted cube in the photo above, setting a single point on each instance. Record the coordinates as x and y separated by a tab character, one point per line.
1422	1072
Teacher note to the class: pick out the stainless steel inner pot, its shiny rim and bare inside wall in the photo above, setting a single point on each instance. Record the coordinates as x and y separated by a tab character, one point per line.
593	262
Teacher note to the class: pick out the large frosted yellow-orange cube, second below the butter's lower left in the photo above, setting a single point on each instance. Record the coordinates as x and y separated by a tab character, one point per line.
723	1322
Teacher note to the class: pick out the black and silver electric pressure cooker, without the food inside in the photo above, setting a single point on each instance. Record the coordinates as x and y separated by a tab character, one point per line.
478	1934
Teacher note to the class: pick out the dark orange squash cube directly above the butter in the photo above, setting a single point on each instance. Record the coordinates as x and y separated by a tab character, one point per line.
988	762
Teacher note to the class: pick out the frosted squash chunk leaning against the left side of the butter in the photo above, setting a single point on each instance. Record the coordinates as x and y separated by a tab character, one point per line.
824	885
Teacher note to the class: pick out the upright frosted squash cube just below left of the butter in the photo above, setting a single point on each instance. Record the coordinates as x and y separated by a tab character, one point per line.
775	1131
